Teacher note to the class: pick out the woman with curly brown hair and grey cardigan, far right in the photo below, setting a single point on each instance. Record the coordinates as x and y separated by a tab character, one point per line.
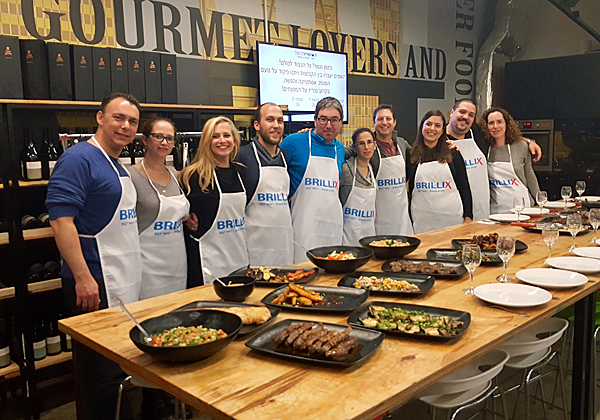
510	169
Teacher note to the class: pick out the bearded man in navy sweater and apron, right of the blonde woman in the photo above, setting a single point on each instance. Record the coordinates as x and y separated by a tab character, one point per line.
268	222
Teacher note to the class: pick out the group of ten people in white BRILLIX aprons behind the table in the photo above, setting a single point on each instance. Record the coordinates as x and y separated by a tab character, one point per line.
147	231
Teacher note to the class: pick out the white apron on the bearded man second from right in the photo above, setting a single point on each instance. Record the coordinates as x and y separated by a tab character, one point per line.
476	165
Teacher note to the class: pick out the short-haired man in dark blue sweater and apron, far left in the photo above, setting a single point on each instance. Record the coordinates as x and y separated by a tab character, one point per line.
91	201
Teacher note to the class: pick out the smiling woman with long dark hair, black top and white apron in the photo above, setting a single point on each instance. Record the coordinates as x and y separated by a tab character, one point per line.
438	184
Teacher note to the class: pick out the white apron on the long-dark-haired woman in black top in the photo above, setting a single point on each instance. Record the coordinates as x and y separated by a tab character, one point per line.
435	201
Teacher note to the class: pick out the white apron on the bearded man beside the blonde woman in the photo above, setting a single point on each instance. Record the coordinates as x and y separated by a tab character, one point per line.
268	220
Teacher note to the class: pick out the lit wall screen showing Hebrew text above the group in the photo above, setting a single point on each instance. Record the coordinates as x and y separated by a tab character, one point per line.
300	77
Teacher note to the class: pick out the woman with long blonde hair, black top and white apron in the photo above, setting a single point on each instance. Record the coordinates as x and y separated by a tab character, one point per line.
217	196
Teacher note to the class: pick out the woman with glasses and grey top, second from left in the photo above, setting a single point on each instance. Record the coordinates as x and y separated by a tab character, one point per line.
161	207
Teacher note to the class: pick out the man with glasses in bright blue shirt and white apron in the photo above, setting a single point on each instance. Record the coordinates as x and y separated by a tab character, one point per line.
315	164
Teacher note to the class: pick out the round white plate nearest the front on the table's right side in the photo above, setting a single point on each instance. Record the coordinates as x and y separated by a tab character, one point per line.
513	295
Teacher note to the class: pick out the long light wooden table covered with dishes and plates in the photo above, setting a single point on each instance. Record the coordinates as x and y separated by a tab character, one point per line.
241	384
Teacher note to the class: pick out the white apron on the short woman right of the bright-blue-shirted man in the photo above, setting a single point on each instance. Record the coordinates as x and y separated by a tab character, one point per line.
359	212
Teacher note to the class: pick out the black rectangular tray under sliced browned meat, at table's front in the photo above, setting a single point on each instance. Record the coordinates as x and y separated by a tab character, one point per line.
368	342
